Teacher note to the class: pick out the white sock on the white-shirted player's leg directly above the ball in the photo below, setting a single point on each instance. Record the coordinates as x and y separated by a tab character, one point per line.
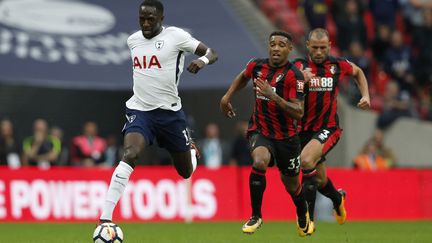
119	180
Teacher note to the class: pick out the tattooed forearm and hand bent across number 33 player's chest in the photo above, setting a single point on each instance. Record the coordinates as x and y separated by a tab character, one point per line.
294	108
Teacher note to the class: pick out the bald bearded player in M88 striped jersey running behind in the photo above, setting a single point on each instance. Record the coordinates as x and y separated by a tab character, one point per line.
319	127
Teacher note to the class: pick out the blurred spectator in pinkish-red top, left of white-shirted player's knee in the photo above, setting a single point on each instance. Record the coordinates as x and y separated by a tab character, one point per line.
88	149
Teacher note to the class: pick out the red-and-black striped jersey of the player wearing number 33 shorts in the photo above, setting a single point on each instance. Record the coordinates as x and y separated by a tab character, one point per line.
268	118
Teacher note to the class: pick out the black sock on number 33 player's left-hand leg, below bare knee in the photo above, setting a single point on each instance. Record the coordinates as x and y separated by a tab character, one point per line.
257	184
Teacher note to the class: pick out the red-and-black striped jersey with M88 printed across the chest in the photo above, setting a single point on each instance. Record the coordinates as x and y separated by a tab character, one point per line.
321	92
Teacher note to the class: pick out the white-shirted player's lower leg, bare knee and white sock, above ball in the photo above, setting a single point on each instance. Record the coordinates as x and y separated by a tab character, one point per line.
134	143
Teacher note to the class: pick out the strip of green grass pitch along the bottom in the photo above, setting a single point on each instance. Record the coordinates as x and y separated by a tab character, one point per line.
223	232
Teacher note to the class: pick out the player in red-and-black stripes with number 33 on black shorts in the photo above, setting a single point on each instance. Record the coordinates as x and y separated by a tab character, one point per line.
272	134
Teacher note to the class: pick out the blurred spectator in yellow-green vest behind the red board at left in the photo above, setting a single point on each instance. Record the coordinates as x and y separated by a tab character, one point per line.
41	149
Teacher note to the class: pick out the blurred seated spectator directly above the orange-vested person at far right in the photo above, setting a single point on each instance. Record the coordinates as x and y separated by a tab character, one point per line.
396	104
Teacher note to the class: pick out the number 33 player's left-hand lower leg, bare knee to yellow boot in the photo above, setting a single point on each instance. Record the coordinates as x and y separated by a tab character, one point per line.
257	184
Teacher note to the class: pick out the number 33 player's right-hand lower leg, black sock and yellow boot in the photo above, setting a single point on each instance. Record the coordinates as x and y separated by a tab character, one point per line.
294	188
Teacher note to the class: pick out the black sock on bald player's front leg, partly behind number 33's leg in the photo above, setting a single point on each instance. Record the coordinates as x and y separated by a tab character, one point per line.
309	189
